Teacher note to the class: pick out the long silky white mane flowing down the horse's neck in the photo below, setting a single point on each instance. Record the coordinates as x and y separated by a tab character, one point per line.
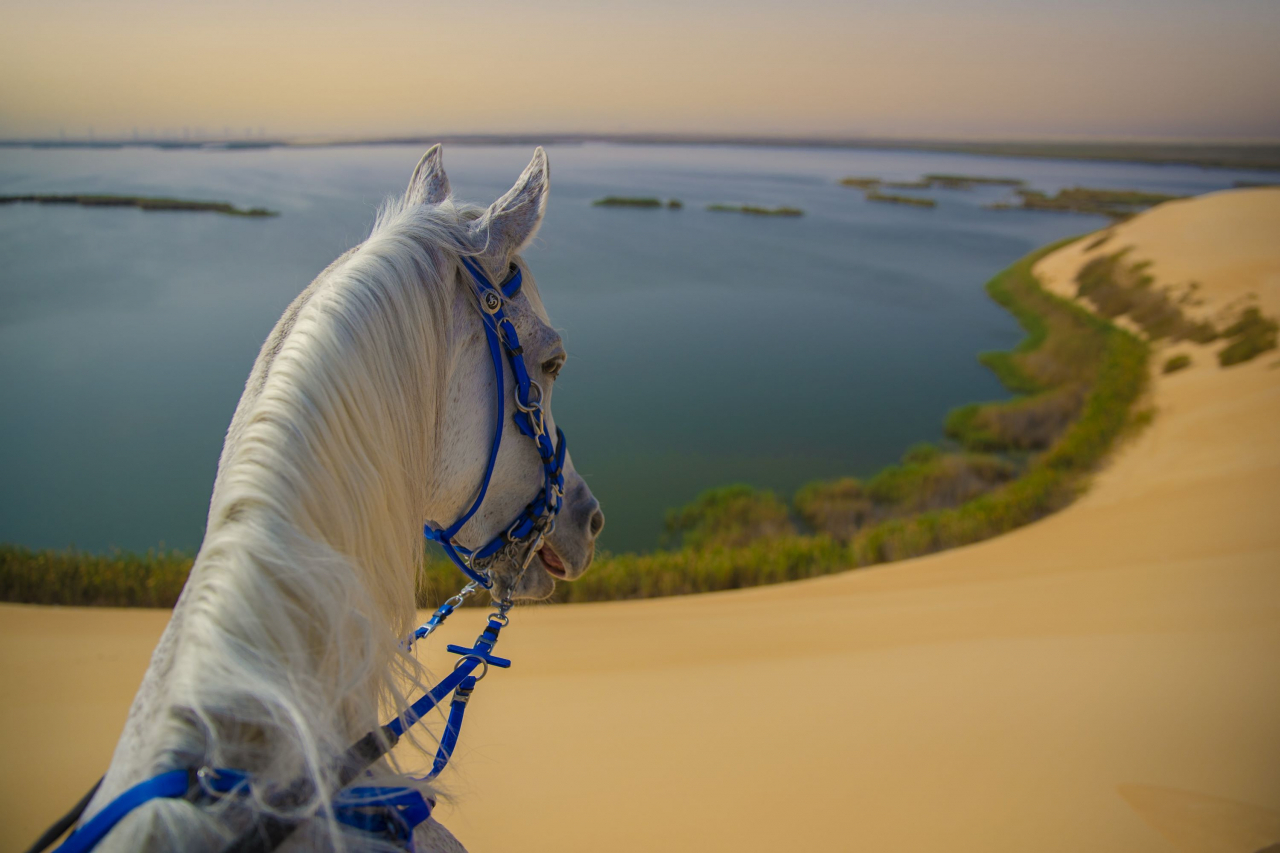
304	589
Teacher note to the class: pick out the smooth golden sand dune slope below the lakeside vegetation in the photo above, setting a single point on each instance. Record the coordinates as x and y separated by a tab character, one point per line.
1108	679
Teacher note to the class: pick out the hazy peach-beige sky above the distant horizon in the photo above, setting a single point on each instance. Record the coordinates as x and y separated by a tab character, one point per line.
920	69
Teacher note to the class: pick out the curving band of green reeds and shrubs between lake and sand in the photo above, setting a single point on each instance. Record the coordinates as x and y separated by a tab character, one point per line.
1077	373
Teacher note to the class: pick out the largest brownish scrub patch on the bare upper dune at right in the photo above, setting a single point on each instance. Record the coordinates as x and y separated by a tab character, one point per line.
1117	288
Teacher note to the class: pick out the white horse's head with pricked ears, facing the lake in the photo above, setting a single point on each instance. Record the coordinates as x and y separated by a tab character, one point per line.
510	464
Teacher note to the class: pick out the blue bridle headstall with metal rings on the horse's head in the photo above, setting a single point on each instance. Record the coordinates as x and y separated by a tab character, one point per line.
538	519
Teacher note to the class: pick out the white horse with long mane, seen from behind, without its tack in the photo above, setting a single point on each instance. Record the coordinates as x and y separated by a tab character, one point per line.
369	410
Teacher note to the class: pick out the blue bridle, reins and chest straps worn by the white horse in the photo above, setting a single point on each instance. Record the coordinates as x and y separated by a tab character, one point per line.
394	813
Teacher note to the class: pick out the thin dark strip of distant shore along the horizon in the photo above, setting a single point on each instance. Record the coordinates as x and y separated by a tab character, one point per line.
1227	156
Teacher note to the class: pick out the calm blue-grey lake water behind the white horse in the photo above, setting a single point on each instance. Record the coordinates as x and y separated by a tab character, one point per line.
706	349
